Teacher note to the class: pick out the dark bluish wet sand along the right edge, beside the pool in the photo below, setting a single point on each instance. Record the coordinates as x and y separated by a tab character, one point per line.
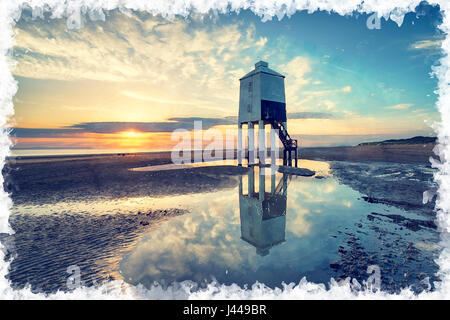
399	185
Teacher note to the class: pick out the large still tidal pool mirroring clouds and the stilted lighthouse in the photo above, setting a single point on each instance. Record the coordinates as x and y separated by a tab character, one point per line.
280	228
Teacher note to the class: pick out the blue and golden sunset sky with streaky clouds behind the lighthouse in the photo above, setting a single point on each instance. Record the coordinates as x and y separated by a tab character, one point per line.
127	82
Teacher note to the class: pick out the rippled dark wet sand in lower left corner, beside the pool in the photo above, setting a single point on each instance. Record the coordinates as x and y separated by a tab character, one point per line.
45	245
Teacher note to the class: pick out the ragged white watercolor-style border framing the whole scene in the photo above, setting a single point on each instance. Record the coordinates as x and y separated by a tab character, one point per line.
72	10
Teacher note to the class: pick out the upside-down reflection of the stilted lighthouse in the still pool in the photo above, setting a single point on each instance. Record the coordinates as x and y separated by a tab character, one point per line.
263	214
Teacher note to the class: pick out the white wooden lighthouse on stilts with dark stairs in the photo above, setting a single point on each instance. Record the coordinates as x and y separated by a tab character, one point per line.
262	101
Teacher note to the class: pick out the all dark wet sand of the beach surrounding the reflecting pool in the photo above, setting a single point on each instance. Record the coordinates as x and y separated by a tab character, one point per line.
48	239
